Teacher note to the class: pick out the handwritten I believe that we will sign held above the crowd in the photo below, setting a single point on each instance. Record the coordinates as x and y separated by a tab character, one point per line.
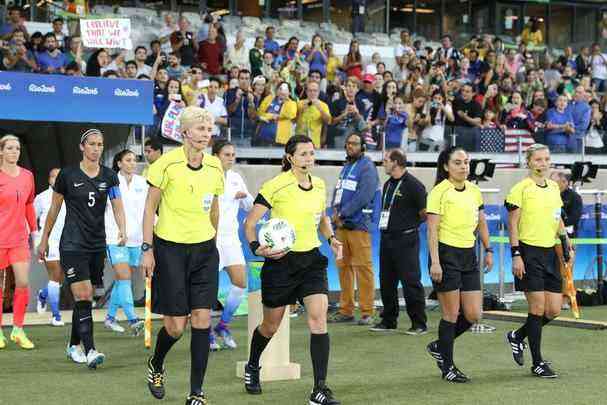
107	33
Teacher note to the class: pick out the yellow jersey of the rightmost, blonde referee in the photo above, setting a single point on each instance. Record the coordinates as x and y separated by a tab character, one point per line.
540	211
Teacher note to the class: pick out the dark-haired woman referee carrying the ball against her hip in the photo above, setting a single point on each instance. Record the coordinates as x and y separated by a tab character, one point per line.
299	274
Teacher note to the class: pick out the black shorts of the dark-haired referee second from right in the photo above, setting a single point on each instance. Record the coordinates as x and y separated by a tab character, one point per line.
460	269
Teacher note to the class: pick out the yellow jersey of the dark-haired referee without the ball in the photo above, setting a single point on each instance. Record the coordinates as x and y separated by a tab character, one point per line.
459	210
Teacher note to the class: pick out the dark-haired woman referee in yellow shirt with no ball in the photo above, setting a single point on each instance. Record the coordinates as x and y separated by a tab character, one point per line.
455	212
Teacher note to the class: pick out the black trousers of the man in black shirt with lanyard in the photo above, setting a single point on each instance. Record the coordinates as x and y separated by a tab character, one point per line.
399	263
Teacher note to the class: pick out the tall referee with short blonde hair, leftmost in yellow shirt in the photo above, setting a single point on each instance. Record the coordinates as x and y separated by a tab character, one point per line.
179	251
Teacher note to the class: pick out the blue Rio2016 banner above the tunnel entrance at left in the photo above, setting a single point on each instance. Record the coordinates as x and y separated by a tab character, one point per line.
34	97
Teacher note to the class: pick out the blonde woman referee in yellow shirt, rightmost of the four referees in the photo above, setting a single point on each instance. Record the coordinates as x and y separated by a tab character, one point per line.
534	219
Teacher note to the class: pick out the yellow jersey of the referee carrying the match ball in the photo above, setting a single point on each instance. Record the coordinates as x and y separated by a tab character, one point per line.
303	209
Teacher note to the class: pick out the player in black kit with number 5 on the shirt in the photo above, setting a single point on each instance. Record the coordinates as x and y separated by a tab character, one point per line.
85	189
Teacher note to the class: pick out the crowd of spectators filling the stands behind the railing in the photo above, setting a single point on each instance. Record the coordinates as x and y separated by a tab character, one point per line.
482	95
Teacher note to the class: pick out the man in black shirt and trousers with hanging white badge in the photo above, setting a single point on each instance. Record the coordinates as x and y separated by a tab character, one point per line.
403	209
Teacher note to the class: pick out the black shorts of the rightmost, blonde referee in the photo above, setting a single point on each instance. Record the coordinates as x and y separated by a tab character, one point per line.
541	270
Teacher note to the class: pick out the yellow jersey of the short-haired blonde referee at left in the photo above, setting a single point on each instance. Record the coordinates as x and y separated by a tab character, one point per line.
187	195
